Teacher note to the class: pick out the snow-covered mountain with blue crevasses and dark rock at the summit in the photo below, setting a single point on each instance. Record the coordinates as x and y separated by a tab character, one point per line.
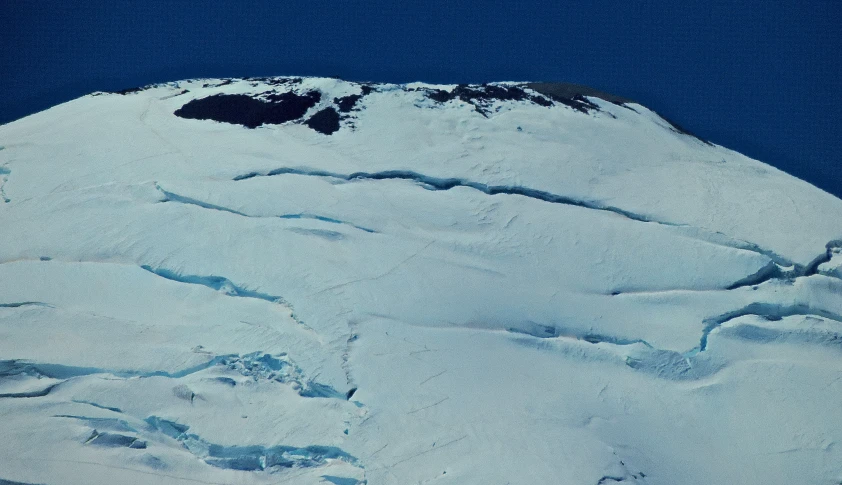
306	280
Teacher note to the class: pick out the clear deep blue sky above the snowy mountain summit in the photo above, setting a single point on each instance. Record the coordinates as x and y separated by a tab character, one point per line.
761	77
